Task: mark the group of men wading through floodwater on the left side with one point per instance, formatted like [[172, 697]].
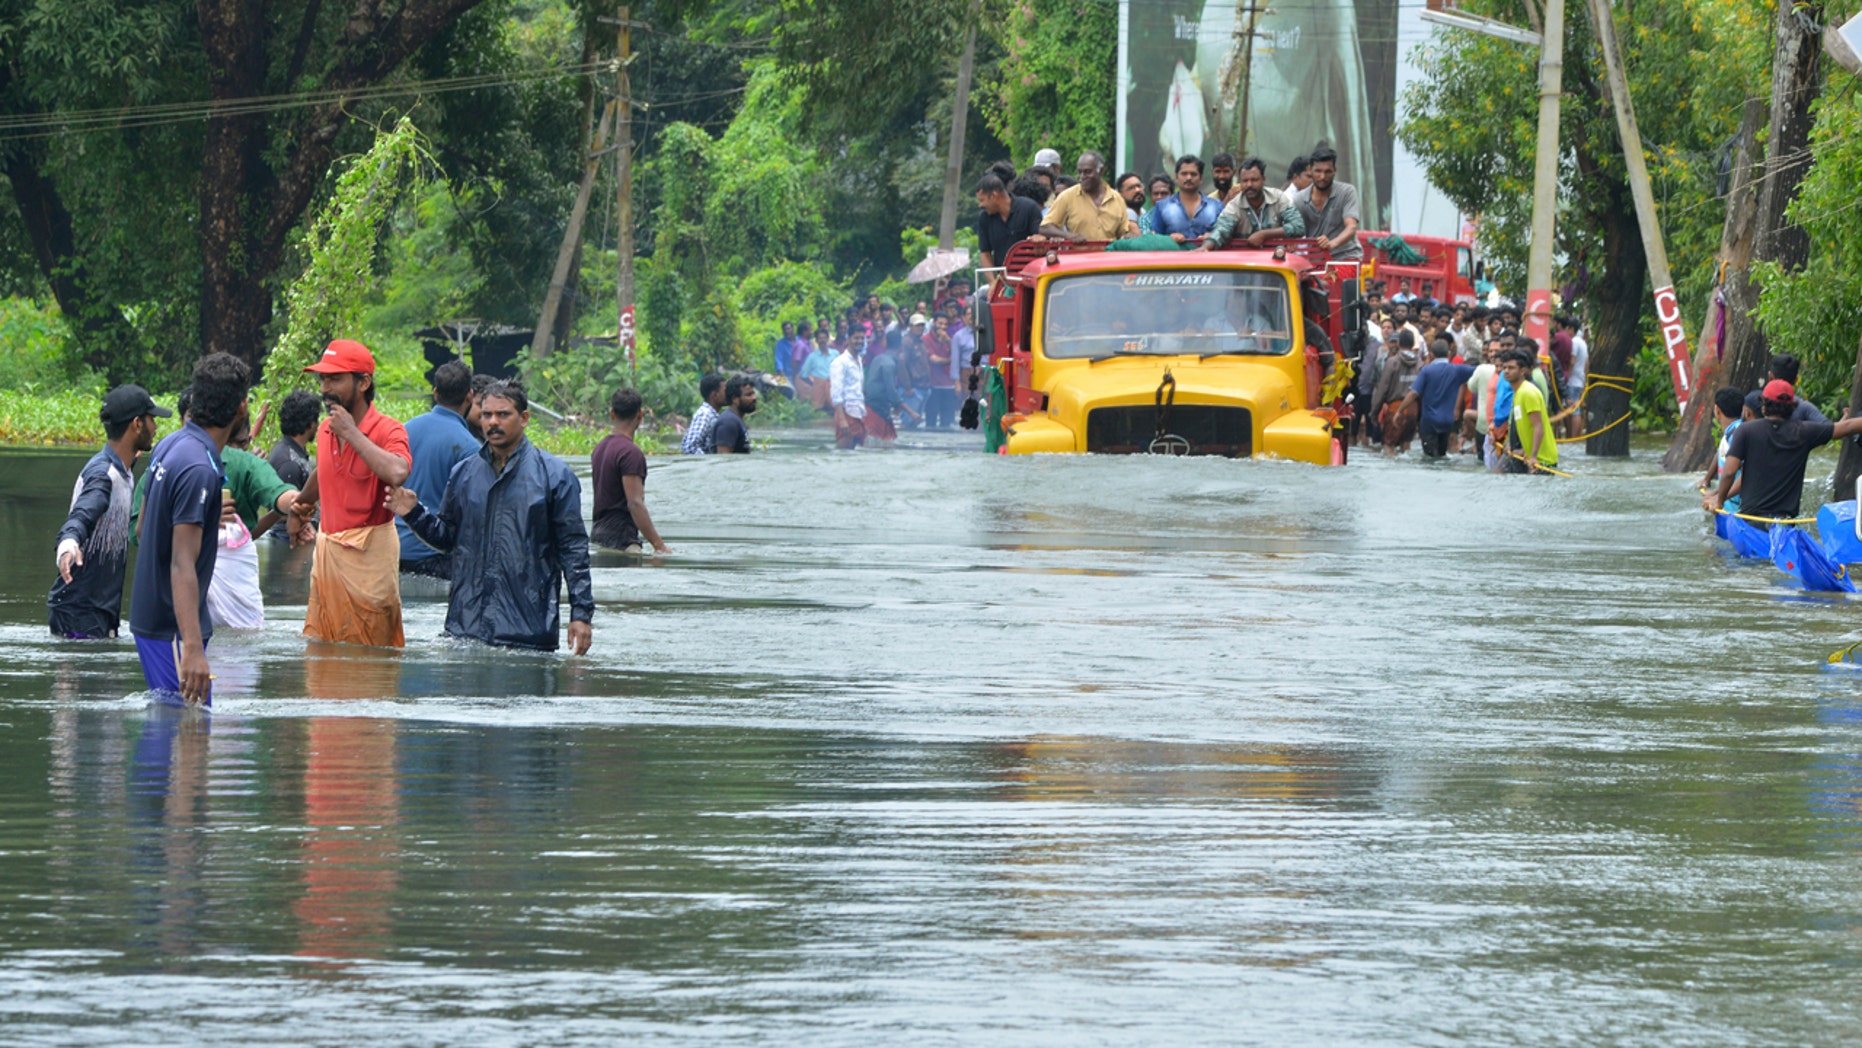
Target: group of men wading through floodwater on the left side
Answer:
[[455, 494]]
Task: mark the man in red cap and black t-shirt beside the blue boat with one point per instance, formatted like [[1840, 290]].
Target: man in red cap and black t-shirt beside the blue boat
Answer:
[[1770, 455]]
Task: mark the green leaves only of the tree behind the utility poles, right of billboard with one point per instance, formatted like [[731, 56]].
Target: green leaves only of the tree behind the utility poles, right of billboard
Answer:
[[1474, 116]]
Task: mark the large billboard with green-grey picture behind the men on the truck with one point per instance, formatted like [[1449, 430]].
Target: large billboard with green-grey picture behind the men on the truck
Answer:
[[1319, 72]]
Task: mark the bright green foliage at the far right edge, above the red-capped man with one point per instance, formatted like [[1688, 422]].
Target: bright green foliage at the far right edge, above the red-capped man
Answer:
[[1818, 314]]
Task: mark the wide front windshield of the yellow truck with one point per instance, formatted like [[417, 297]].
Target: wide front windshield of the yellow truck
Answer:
[[1168, 314]]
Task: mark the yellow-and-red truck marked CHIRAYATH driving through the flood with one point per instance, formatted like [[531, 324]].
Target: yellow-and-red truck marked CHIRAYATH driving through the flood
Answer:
[[1235, 353]]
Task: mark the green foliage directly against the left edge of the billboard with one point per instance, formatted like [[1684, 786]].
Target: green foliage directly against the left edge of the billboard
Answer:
[[1057, 81]]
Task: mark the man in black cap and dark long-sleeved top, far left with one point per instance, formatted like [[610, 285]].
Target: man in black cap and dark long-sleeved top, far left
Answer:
[[87, 602]]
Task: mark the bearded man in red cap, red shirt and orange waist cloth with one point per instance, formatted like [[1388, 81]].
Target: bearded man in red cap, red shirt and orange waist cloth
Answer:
[[360, 455]]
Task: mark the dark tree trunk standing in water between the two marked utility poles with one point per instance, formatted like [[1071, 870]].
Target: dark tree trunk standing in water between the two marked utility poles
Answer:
[[1617, 312]]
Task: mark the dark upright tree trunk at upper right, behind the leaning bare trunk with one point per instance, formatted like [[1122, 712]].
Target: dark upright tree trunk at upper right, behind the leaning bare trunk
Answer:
[[1794, 87]]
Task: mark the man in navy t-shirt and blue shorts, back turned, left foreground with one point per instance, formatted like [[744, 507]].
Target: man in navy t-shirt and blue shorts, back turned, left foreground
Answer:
[[180, 537]]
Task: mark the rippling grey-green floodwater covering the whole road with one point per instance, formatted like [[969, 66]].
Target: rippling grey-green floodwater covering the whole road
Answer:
[[924, 746]]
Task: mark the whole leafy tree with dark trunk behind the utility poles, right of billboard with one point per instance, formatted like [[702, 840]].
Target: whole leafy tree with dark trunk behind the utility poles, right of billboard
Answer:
[[1472, 126]]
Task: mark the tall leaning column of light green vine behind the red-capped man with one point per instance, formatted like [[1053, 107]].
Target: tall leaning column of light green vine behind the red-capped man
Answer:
[[331, 295]]
